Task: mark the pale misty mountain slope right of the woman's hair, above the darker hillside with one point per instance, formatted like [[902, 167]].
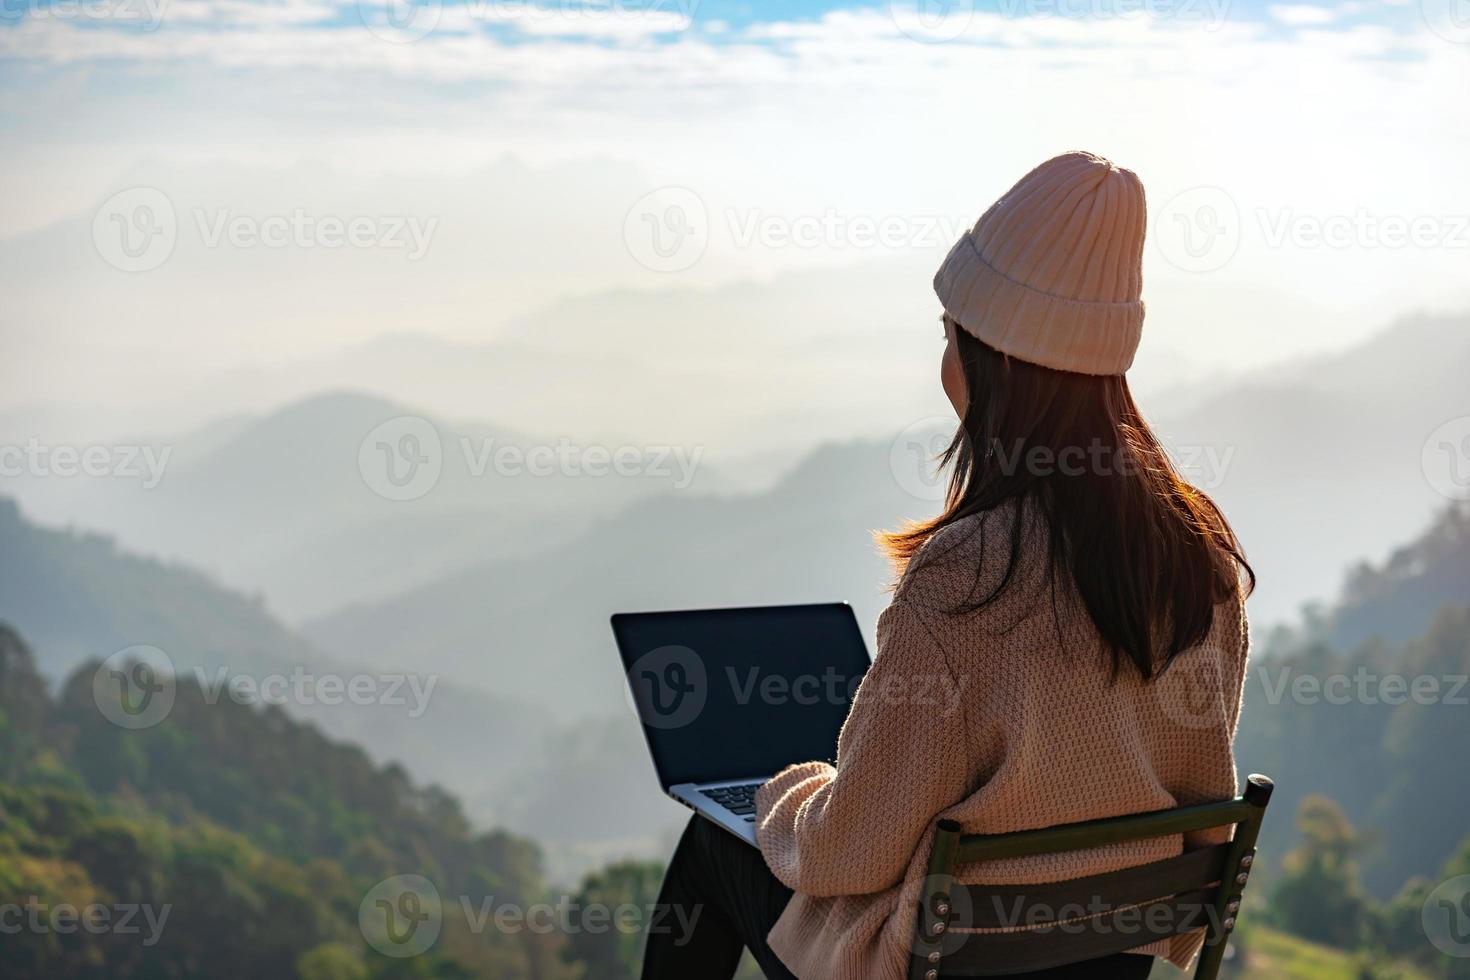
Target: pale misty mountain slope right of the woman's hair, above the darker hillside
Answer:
[[1324, 464]]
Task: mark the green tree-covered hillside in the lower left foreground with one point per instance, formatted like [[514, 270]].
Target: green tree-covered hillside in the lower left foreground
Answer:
[[230, 841]]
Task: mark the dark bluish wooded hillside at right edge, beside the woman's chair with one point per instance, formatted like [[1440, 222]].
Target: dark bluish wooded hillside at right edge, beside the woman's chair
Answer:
[[1368, 703]]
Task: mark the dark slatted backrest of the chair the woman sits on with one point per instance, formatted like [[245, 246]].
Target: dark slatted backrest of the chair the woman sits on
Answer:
[[1091, 918]]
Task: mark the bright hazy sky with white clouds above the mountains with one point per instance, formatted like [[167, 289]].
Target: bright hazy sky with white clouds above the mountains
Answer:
[[304, 177]]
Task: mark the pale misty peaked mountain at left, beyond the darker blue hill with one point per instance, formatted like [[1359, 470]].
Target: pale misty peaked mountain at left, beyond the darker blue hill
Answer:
[[299, 506]]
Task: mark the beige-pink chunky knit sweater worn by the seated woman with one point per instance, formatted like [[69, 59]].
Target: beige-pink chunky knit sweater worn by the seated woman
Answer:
[[1003, 719]]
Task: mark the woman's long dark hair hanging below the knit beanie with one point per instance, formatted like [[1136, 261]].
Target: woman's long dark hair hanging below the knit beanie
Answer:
[[1150, 555]]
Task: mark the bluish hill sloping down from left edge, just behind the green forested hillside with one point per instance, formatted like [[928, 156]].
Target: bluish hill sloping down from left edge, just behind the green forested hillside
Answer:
[[83, 599]]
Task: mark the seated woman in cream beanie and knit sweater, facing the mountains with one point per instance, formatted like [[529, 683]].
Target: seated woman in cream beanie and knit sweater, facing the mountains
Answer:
[[1069, 572]]
